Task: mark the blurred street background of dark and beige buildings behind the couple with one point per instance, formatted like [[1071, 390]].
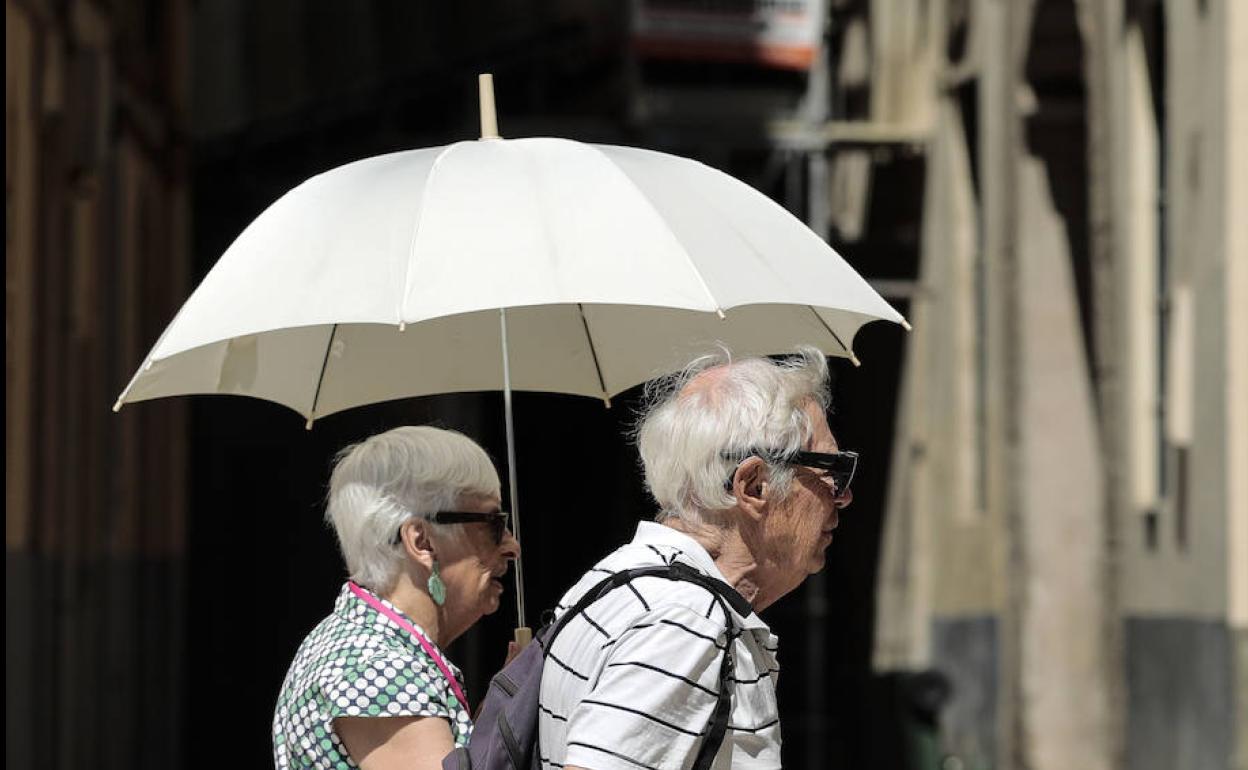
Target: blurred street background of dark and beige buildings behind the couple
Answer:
[[1046, 562]]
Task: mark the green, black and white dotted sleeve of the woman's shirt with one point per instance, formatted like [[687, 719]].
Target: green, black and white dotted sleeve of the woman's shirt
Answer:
[[386, 686]]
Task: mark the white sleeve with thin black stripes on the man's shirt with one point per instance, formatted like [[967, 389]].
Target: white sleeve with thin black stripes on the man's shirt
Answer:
[[655, 697]]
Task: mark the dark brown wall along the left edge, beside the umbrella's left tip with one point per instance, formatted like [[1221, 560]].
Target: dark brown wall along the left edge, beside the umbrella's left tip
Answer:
[[95, 264]]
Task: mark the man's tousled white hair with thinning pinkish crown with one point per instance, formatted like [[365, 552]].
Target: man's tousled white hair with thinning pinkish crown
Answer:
[[692, 439]]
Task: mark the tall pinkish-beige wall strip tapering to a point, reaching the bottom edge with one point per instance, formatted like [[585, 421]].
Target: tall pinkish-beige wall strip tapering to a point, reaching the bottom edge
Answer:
[[1065, 680]]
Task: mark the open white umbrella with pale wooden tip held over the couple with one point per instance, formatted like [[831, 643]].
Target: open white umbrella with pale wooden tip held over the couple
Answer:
[[532, 264]]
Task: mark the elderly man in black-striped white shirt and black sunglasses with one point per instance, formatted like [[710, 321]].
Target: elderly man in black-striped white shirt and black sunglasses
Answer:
[[749, 479]]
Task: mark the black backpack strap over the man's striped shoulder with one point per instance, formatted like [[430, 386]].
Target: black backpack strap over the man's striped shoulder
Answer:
[[724, 595]]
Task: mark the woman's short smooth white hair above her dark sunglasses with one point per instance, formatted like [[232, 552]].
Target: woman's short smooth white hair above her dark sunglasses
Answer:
[[388, 479]]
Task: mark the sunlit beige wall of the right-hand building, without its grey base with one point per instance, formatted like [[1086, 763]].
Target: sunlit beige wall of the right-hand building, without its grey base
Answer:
[[1058, 555]]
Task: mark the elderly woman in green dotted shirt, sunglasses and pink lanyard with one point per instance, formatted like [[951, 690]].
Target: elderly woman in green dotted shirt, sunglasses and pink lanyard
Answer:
[[417, 516]]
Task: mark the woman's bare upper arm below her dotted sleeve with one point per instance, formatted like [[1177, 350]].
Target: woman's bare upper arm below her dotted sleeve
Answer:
[[386, 743]]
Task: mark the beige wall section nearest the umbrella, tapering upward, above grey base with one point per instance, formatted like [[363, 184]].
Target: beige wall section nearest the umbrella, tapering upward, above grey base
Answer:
[[940, 543]]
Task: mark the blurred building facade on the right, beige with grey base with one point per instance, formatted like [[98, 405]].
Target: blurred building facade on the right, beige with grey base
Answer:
[[1068, 529]]
